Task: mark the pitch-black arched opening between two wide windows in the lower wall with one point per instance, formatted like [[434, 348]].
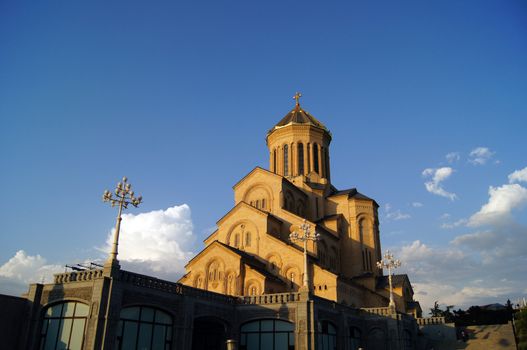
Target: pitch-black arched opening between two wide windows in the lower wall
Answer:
[[209, 333]]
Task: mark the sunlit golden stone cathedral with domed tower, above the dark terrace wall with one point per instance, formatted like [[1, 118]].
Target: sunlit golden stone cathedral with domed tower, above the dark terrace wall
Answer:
[[251, 253]]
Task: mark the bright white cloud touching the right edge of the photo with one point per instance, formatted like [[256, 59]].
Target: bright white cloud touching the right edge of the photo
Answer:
[[502, 201]]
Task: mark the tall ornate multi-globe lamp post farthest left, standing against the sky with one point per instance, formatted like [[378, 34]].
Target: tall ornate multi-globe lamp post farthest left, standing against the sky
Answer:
[[123, 196]]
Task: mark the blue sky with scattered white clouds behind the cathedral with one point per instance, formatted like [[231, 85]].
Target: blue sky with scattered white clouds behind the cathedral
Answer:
[[179, 96]]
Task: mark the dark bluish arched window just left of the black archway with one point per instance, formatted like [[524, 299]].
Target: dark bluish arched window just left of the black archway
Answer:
[[142, 327]]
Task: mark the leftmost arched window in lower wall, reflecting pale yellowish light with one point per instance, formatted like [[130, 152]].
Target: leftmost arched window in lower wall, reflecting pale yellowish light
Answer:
[[63, 326]]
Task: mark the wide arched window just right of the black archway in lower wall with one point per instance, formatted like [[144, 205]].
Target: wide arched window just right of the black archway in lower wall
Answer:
[[267, 335]]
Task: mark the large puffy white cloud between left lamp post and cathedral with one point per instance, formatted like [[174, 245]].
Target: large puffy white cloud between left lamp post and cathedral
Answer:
[[159, 242]]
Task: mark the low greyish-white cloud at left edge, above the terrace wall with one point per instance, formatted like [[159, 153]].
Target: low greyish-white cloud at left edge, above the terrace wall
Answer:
[[23, 269]]
